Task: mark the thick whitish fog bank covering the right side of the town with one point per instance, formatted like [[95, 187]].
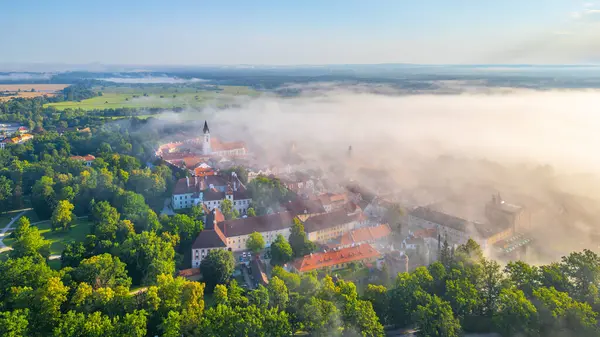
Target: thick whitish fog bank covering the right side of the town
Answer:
[[538, 149]]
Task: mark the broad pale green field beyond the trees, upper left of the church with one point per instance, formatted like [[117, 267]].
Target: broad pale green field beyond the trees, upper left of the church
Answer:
[[155, 97]]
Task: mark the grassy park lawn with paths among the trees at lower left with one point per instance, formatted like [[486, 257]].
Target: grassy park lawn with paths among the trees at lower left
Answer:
[[59, 238]]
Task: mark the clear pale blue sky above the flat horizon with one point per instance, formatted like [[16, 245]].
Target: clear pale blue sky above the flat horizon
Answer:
[[299, 32]]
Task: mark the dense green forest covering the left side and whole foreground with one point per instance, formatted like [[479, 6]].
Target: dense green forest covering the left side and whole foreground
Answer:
[[120, 280]]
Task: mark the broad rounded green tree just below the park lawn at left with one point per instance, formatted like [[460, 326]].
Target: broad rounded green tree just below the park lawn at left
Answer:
[[102, 271]]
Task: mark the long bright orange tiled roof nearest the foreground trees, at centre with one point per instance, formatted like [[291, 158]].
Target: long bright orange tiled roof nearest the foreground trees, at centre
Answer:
[[335, 257]]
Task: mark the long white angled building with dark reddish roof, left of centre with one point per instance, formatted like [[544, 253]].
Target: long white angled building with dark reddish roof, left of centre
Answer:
[[233, 234]]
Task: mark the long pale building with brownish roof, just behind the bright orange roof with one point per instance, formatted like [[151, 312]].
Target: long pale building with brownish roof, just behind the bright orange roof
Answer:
[[324, 227]]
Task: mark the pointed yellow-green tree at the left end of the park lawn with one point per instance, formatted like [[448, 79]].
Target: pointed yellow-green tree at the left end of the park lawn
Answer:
[[28, 241]]
